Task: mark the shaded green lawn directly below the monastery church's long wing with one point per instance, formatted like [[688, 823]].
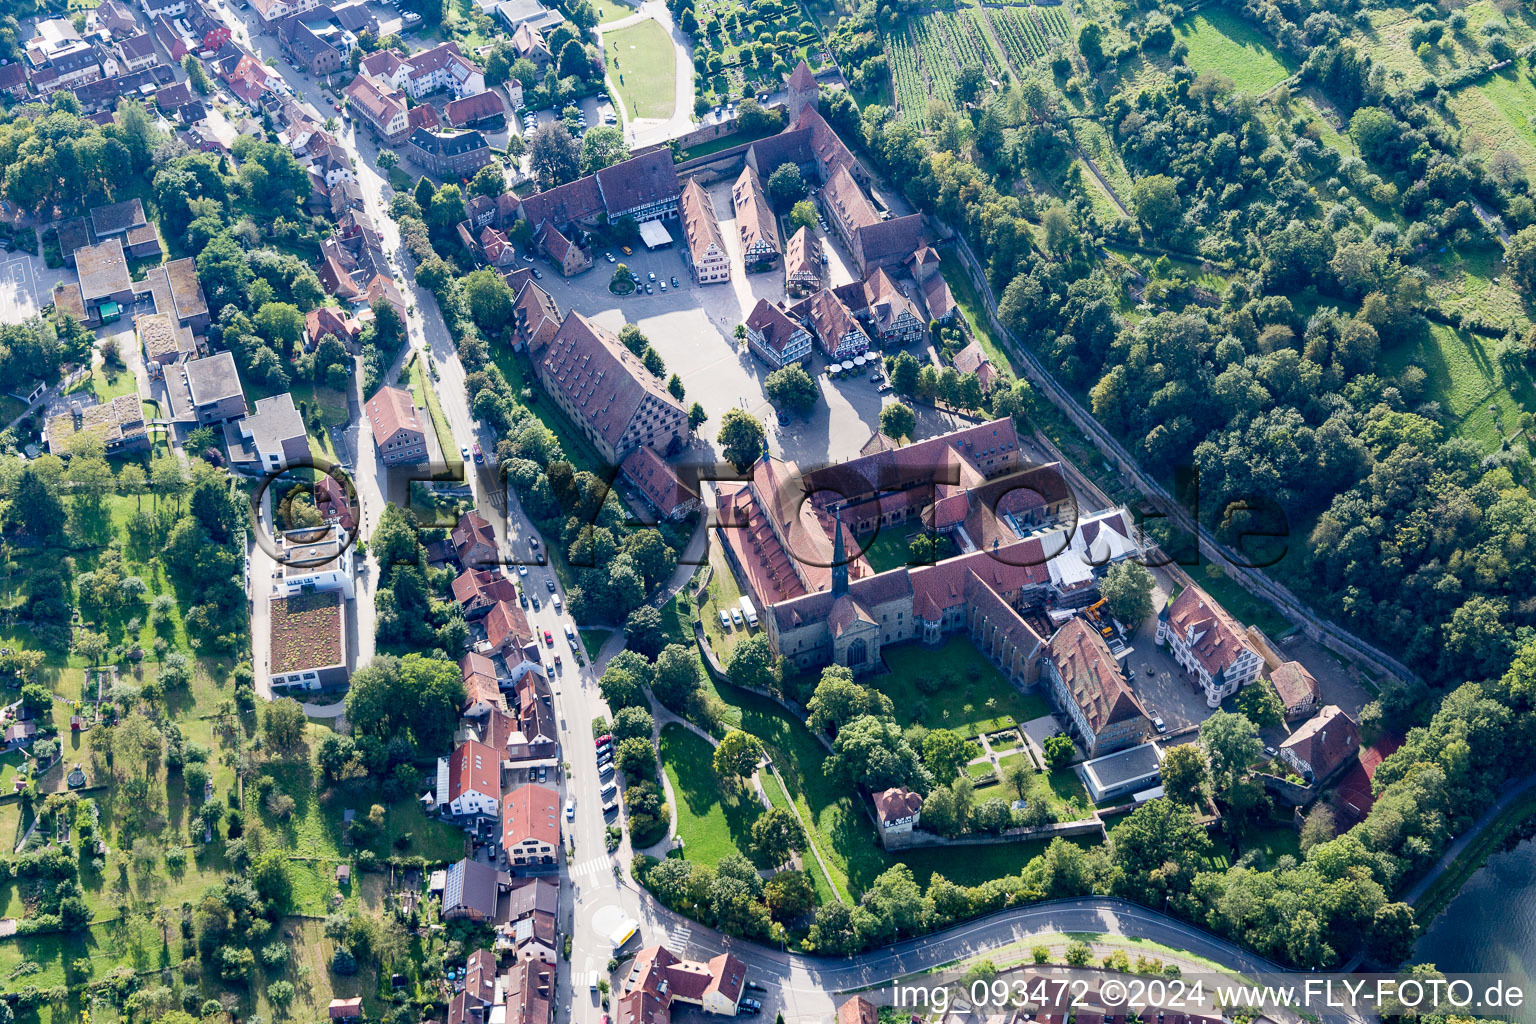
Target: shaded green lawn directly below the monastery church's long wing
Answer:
[[965, 679]]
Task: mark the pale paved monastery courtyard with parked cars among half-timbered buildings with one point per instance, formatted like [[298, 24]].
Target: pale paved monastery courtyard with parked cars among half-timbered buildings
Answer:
[[694, 328]]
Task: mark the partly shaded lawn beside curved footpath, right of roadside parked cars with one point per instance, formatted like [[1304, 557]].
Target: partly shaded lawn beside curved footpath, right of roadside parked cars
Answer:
[[712, 822]]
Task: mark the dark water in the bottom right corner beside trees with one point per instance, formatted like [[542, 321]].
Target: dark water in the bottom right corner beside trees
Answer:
[[1491, 927]]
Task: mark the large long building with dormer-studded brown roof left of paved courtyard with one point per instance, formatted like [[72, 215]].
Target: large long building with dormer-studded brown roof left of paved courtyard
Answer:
[[607, 392]]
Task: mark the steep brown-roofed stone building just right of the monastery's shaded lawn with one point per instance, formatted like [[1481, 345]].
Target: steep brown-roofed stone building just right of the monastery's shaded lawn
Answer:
[[1090, 692]]
